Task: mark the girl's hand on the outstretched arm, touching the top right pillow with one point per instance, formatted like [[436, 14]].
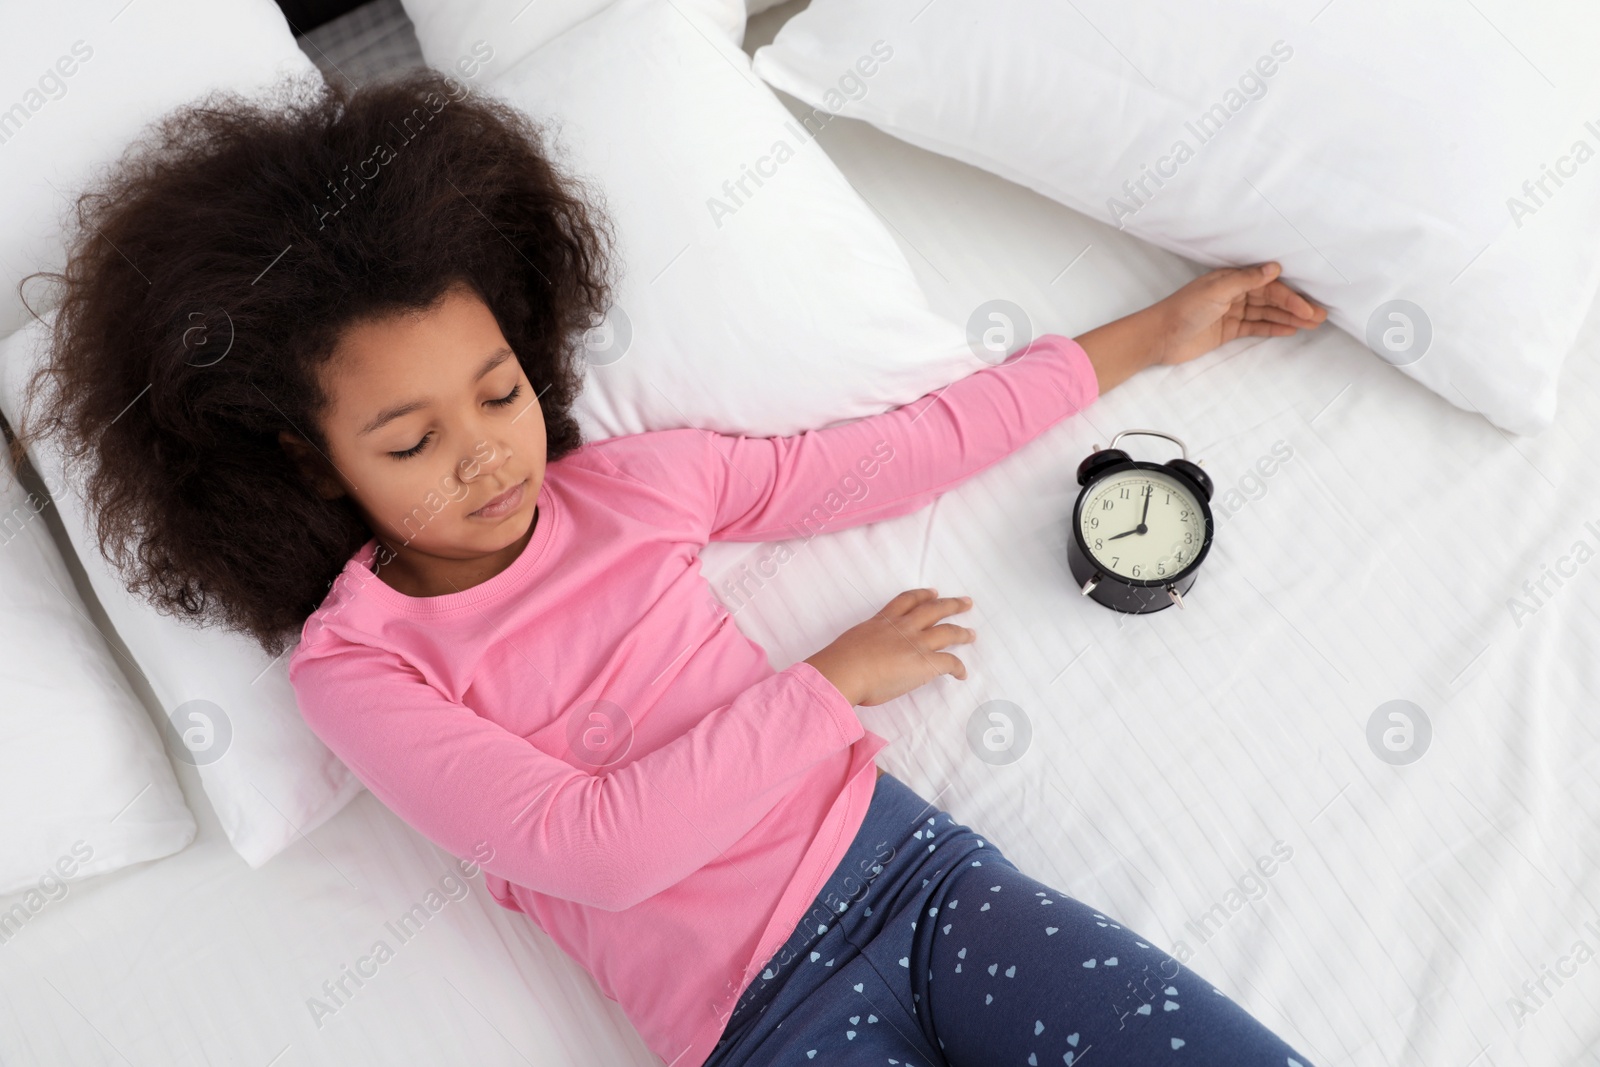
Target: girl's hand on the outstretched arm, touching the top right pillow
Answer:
[[1226, 305]]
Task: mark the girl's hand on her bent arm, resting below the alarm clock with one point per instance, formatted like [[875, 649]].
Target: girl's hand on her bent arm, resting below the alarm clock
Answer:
[[898, 649]]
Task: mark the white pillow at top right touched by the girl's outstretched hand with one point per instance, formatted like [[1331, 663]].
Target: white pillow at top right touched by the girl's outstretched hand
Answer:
[[1378, 151]]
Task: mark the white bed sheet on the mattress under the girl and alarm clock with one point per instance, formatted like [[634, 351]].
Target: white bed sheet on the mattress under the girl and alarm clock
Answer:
[[1169, 751]]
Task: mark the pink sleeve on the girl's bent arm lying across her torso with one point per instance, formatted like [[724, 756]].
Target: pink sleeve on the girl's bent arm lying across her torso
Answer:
[[607, 841]]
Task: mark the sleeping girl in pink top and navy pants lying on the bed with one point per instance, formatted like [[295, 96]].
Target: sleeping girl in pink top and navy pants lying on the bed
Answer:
[[503, 629]]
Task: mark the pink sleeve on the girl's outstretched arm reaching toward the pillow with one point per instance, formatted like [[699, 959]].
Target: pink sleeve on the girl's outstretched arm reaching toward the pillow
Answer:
[[770, 489]]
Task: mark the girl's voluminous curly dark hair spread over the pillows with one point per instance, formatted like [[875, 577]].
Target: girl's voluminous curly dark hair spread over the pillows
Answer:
[[210, 278]]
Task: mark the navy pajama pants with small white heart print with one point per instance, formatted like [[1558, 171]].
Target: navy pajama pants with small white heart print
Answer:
[[929, 948]]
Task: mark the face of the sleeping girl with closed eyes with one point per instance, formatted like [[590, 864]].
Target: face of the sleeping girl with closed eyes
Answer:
[[436, 434]]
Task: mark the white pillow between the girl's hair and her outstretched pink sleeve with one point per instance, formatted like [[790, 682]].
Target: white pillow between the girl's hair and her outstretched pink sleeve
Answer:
[[774, 310]]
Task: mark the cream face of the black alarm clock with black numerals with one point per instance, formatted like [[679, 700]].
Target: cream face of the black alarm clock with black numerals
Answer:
[[1143, 524]]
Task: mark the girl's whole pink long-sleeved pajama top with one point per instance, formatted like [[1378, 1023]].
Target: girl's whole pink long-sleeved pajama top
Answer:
[[593, 729]]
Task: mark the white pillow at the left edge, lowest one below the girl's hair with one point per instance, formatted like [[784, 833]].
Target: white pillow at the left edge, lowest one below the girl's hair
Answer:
[[86, 786]]
